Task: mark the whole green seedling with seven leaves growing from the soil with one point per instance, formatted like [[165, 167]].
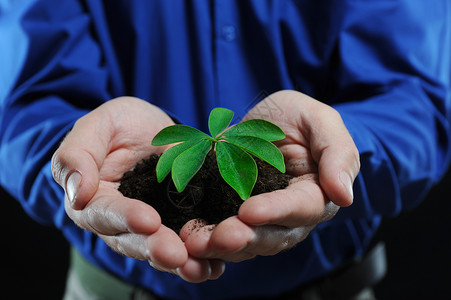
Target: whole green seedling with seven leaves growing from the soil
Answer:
[[233, 148]]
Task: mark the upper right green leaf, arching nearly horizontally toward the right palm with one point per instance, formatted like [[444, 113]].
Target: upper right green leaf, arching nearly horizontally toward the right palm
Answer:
[[257, 128]]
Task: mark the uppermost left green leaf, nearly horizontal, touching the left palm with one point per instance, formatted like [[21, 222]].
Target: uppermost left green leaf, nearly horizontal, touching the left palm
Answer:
[[177, 133]]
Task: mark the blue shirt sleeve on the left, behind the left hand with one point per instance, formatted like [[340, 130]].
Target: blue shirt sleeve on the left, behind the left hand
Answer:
[[53, 76]]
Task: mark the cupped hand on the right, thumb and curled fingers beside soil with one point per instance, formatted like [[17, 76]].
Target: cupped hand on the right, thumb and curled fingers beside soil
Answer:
[[319, 152]]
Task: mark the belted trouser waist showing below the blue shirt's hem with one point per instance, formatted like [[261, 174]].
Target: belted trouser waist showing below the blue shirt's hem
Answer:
[[341, 284]]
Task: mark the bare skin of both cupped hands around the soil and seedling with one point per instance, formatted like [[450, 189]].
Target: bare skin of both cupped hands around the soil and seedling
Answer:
[[111, 139]]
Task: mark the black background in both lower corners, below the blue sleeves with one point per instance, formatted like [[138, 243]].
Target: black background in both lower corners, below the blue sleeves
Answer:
[[418, 242]]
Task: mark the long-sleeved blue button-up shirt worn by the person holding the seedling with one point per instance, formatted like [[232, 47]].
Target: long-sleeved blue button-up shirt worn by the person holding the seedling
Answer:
[[384, 65]]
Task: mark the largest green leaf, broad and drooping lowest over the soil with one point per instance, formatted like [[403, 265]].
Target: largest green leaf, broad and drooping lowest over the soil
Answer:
[[237, 168]]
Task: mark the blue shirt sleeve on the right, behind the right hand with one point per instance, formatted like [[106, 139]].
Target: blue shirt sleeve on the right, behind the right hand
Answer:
[[395, 66]]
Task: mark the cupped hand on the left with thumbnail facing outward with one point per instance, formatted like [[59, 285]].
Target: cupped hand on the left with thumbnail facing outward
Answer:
[[89, 164]]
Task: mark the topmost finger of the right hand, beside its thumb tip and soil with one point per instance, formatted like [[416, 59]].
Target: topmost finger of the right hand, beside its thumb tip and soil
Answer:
[[302, 203]]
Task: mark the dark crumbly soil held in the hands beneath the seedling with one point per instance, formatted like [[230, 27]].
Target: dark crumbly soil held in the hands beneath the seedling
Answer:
[[207, 196]]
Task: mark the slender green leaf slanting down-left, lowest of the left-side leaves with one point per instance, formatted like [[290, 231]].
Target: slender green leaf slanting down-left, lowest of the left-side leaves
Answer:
[[188, 163]]
